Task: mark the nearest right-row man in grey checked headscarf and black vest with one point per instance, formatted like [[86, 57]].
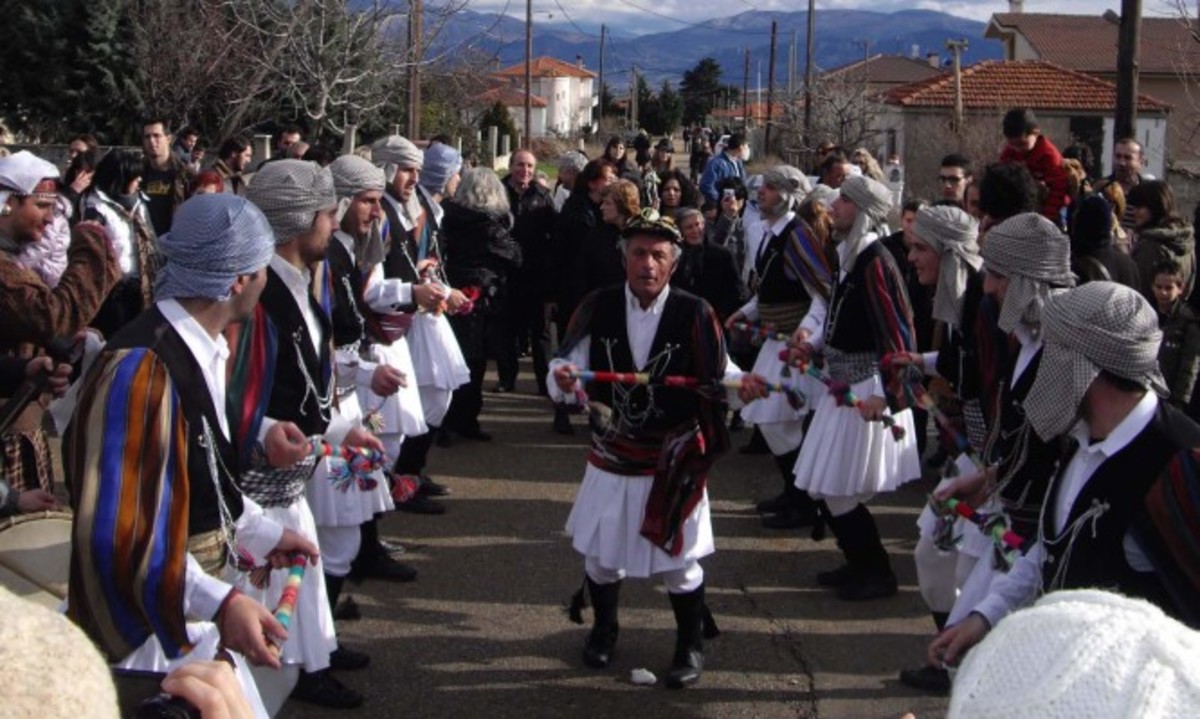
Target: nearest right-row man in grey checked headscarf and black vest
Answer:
[[1120, 513]]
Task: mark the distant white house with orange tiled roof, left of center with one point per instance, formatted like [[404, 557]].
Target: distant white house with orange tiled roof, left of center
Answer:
[[566, 91]]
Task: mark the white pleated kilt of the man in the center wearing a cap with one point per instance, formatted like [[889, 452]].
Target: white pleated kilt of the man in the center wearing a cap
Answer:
[[607, 520]]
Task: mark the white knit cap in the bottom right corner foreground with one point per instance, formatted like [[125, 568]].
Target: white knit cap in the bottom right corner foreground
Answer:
[[1082, 654]]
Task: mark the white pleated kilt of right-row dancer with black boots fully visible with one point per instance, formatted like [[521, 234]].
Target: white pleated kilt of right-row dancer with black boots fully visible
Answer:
[[845, 457]]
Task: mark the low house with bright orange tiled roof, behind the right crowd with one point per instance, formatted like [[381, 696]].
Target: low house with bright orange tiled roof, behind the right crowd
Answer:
[[1072, 109]]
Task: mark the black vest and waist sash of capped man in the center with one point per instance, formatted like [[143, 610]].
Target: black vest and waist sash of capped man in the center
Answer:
[[643, 417]]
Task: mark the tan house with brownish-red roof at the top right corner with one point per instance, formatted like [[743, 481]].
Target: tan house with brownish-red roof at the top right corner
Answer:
[[1168, 62]]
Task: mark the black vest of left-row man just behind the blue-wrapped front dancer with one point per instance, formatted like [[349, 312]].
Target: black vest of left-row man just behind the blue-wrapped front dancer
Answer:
[[292, 400]]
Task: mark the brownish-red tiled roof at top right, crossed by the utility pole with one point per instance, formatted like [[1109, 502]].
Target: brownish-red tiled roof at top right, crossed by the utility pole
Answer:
[[1090, 43]]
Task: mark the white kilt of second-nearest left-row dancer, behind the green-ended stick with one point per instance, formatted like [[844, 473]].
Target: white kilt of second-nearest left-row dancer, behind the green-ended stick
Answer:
[[311, 637]]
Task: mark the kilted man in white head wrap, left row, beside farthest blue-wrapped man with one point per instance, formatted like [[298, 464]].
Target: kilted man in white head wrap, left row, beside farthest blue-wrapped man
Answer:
[[415, 259]]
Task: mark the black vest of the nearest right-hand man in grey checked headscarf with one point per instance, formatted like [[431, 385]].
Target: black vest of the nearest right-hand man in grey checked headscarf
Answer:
[[1096, 556]]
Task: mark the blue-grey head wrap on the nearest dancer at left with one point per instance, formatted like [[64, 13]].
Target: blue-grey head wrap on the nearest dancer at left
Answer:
[[213, 239]]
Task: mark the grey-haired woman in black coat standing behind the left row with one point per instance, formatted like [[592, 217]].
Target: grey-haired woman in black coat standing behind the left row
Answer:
[[481, 256]]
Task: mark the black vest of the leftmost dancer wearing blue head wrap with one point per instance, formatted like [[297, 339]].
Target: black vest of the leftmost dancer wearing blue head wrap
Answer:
[[153, 332]]
